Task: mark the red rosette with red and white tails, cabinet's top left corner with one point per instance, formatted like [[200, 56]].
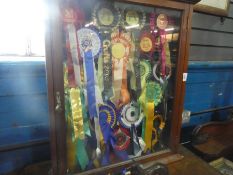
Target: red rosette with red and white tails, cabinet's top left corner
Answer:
[[73, 17]]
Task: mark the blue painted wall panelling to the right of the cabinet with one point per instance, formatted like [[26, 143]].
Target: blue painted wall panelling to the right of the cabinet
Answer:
[[209, 85]]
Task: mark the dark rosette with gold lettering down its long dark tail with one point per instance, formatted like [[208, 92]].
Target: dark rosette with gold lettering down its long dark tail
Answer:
[[106, 17]]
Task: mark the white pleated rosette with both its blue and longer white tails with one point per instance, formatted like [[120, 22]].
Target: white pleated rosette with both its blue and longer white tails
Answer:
[[90, 45]]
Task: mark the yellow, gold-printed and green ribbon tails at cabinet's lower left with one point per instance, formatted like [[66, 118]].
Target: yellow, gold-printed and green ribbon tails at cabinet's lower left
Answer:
[[74, 113]]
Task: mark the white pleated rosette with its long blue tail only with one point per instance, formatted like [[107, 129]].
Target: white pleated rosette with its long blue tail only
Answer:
[[90, 45]]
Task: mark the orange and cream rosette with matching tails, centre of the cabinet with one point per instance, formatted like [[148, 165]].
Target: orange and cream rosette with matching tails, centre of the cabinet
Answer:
[[121, 45]]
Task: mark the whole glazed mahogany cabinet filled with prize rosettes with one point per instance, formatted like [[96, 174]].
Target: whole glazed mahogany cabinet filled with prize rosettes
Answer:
[[115, 72]]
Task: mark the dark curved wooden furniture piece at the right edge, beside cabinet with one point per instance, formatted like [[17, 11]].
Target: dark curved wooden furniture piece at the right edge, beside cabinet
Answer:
[[213, 140]]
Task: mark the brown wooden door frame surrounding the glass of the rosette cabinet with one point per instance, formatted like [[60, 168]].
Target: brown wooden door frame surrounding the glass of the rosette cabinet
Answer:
[[54, 64]]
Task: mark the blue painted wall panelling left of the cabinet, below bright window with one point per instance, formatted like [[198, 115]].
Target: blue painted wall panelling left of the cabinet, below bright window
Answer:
[[23, 113]]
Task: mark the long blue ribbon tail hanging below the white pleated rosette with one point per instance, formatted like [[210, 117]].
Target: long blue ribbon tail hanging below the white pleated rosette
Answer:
[[90, 77]]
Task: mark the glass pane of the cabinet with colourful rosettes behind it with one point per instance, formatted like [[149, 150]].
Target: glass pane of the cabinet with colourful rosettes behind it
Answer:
[[119, 74]]
